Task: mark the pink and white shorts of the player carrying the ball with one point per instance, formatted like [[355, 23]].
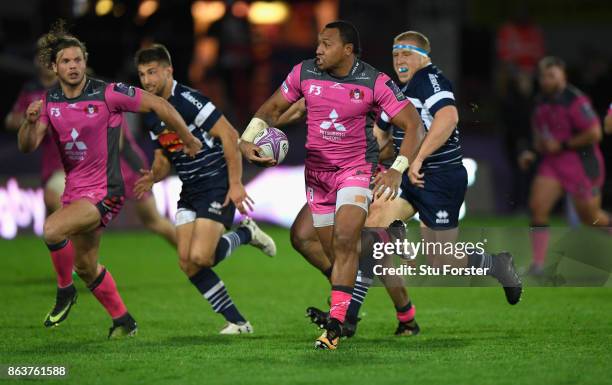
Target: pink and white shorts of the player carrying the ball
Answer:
[[327, 191]]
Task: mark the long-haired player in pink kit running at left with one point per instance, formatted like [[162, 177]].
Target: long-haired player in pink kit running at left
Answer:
[[89, 148]]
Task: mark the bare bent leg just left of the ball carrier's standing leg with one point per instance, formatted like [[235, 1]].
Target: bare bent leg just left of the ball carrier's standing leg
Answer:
[[306, 242]]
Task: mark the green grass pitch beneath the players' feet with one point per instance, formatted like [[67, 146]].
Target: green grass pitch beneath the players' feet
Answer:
[[469, 335]]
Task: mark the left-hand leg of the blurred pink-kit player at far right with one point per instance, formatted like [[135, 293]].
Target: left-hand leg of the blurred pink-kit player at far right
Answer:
[[545, 192]]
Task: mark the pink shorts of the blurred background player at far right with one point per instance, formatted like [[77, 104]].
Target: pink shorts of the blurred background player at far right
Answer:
[[580, 174]]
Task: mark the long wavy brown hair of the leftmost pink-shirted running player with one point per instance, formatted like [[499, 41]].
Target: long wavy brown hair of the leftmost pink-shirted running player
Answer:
[[58, 38]]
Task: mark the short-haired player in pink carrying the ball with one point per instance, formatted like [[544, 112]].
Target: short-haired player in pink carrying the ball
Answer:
[[342, 154]]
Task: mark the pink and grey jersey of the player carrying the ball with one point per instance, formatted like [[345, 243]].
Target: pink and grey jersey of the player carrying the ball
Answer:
[[338, 110]]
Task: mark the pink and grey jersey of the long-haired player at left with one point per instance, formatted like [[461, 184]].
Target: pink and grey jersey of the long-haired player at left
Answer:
[[86, 130]]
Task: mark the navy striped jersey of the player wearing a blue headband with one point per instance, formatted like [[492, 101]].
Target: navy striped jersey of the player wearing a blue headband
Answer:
[[429, 90]]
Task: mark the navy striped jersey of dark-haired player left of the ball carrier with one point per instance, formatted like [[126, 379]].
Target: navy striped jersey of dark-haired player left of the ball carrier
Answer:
[[208, 168]]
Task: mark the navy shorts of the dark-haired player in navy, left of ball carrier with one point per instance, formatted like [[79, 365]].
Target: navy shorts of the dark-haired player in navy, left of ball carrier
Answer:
[[205, 204]]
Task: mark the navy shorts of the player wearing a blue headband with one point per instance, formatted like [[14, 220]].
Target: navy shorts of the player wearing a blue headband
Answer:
[[438, 203]]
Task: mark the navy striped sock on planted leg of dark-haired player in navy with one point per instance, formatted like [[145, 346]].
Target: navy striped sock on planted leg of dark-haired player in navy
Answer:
[[213, 289]]
